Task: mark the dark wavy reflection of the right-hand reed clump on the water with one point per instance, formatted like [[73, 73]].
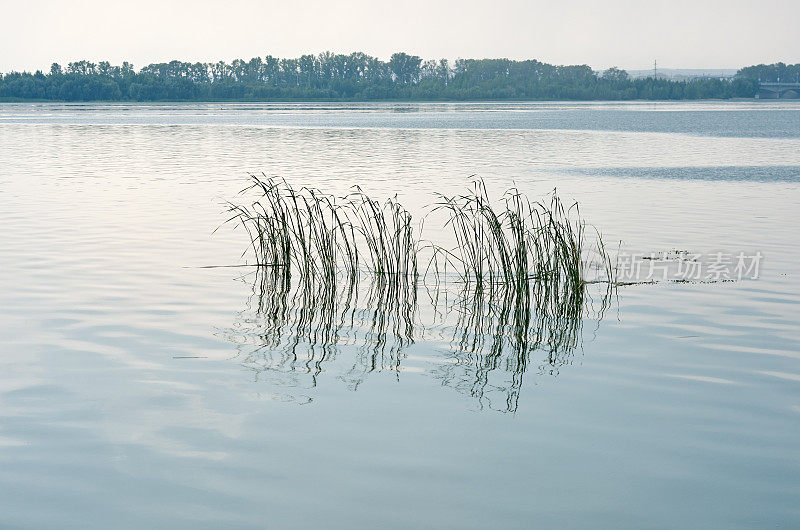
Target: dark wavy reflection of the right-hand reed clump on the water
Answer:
[[496, 337]]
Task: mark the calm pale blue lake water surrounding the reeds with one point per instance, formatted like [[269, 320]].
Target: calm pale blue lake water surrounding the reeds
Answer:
[[139, 389]]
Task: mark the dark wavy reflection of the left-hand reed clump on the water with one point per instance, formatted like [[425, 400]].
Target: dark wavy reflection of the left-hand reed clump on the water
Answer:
[[295, 329]]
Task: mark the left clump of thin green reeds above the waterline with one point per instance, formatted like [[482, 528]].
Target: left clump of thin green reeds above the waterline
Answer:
[[319, 237]]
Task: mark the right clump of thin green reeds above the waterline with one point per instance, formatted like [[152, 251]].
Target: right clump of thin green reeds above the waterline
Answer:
[[516, 243]]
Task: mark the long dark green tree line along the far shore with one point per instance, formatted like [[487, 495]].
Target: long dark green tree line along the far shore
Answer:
[[360, 77]]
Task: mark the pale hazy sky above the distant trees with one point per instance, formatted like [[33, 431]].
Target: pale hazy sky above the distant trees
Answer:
[[629, 34]]
